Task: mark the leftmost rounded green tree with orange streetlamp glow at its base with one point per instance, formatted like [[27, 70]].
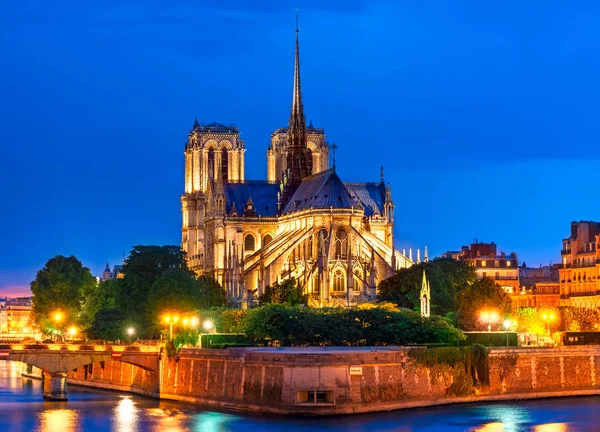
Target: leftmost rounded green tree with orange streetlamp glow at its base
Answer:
[[61, 285]]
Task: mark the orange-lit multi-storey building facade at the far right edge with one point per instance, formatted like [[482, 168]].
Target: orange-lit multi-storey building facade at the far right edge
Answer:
[[580, 270]]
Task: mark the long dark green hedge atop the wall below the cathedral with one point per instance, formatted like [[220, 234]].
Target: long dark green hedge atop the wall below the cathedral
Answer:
[[290, 326]]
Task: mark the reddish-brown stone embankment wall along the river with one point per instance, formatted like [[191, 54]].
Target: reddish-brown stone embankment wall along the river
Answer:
[[317, 381]]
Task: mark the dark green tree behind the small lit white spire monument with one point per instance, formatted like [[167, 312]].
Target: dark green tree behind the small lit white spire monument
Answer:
[[447, 277]]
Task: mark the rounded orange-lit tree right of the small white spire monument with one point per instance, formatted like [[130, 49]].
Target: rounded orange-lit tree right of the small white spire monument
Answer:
[[484, 294]]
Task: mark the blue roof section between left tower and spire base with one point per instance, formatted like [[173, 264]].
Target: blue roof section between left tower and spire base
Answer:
[[263, 195]]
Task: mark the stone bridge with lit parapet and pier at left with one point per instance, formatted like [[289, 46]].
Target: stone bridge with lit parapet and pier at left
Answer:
[[56, 361]]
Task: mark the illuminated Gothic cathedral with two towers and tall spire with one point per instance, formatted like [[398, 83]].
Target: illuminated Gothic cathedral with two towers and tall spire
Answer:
[[334, 238]]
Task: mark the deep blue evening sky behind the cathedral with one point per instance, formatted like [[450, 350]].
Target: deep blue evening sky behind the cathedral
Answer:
[[484, 115]]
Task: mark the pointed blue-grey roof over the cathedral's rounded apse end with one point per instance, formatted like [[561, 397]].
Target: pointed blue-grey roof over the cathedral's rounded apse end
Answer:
[[321, 190]]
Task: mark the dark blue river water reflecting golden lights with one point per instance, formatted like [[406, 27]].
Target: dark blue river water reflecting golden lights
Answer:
[[23, 409]]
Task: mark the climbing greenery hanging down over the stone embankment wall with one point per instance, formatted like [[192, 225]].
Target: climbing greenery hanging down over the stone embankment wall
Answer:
[[468, 366]]
